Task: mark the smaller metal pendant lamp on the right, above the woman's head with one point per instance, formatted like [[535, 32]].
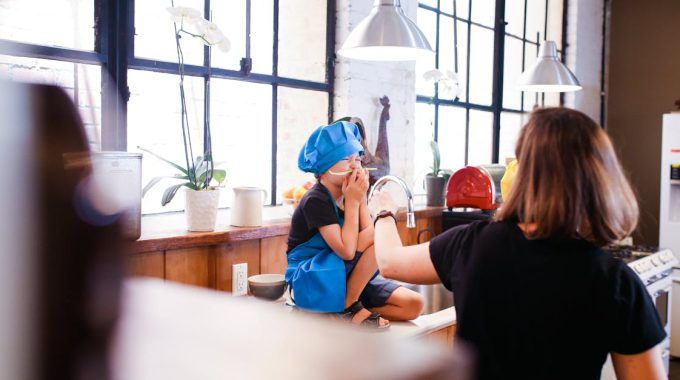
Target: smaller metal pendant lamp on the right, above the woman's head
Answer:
[[548, 74]]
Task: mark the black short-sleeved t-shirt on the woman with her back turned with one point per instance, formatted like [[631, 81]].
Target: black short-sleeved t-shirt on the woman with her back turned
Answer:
[[542, 309]]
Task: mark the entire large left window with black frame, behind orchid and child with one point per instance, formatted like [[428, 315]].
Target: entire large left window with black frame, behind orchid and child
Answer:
[[258, 120]]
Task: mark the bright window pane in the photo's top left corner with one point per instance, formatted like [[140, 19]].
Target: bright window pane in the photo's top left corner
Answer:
[[33, 21]]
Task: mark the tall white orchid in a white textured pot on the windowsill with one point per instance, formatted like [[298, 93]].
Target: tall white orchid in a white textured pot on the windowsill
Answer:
[[198, 174]]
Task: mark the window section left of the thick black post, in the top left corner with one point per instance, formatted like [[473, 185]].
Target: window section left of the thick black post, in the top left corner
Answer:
[[37, 54]]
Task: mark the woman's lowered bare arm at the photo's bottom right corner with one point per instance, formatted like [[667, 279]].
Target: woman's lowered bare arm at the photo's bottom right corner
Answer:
[[646, 365]]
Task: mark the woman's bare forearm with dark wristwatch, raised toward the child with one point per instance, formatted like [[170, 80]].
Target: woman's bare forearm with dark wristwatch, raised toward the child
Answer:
[[409, 264]]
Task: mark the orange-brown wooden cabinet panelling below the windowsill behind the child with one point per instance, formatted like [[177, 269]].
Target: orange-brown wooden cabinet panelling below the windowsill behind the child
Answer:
[[205, 259]]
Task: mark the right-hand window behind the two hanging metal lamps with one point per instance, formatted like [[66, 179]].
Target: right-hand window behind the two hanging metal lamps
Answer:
[[476, 122]]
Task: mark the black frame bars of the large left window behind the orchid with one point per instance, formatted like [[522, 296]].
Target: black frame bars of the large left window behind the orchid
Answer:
[[114, 52]]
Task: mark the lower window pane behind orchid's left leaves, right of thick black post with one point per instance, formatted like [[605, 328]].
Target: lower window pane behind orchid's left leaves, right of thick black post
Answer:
[[160, 131]]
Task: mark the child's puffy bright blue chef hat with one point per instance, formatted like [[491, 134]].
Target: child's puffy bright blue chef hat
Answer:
[[329, 144]]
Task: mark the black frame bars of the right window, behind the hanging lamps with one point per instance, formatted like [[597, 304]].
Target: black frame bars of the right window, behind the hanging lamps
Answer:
[[500, 34]]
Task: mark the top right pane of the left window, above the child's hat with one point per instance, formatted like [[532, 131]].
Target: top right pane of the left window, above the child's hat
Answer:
[[302, 39]]
